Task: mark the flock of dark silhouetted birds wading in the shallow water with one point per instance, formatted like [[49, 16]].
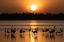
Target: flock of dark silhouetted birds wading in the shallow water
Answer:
[[13, 30]]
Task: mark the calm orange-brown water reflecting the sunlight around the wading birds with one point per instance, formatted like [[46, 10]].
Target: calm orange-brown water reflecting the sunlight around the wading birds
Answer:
[[29, 36]]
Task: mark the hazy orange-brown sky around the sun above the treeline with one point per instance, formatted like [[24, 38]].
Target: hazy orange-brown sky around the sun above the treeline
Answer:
[[43, 6]]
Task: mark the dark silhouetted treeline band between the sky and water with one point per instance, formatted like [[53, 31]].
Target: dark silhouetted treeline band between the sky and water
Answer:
[[31, 16]]
